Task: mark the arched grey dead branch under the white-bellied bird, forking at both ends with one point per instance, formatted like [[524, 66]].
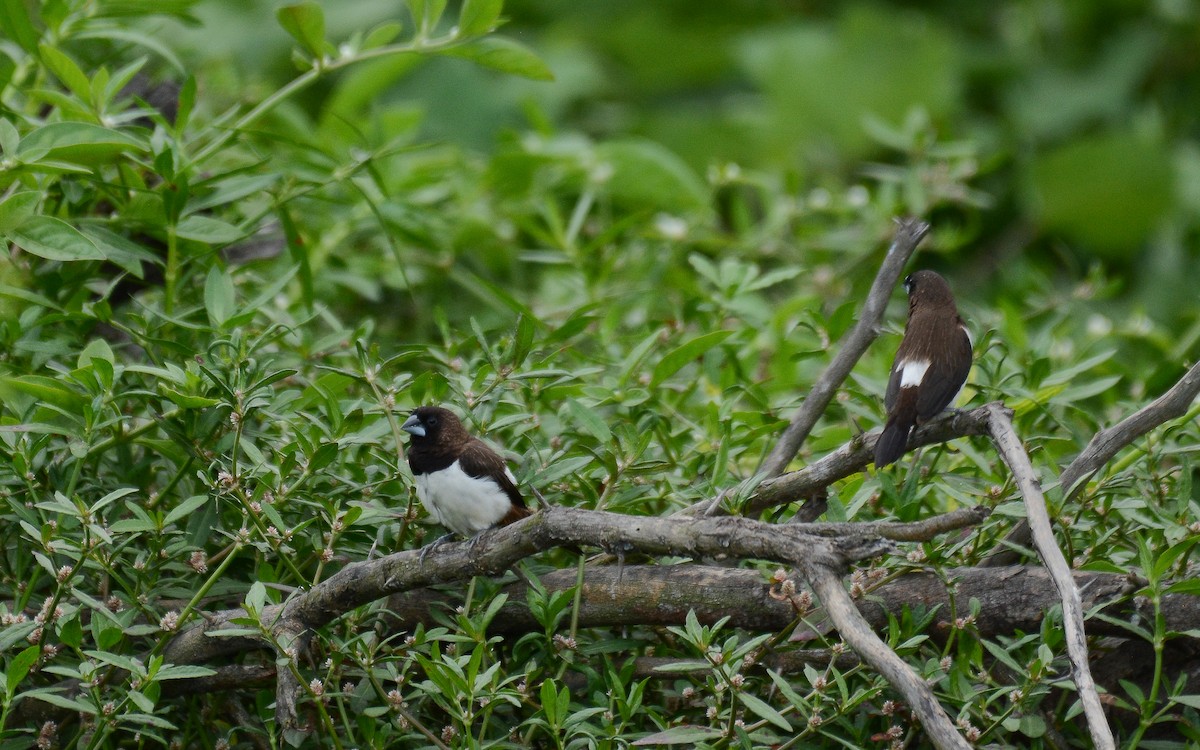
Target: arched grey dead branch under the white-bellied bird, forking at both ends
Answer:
[[813, 554]]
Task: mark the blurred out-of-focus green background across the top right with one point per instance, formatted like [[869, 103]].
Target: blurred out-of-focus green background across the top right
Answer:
[[1077, 121]]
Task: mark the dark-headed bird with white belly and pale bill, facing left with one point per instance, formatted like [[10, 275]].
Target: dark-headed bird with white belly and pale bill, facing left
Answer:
[[461, 482]]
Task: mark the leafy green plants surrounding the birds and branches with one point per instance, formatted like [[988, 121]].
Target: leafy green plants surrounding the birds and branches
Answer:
[[223, 296]]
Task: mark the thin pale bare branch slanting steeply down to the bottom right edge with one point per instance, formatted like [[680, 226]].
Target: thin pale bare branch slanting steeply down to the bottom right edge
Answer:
[[1013, 453]]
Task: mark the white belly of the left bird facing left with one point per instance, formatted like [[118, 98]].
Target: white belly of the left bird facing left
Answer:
[[463, 503]]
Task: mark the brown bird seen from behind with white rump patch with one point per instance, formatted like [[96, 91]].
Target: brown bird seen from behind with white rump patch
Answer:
[[931, 368]]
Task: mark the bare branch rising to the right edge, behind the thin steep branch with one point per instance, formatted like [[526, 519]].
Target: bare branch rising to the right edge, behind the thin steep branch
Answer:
[[1102, 448]]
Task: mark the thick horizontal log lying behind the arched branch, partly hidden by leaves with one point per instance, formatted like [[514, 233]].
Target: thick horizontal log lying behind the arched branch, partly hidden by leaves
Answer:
[[1011, 601]]
